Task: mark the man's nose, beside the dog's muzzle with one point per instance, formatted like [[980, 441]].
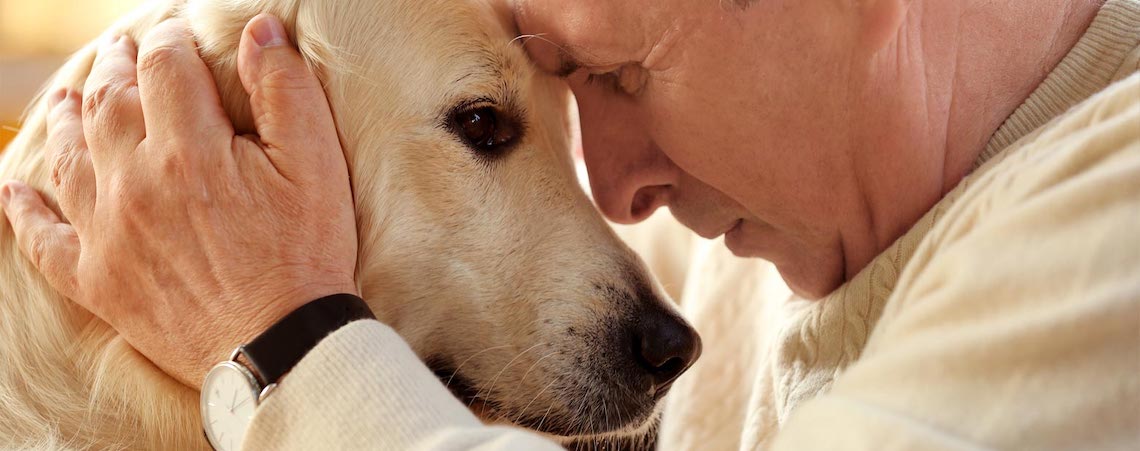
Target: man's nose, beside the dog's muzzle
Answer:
[[630, 176]]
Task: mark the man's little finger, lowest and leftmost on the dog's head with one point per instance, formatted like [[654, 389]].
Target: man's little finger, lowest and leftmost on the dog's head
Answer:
[[52, 245]]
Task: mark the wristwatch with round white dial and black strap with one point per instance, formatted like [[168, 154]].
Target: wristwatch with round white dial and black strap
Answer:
[[232, 391]]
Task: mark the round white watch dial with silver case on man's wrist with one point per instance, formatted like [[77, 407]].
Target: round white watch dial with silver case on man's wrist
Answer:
[[230, 397]]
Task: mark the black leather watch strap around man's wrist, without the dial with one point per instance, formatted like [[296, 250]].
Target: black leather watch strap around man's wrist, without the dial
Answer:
[[278, 350]]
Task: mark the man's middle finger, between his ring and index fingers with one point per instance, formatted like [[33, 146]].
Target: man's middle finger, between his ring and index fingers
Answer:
[[112, 114]]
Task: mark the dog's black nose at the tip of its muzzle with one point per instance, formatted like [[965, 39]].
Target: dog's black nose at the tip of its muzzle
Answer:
[[665, 347]]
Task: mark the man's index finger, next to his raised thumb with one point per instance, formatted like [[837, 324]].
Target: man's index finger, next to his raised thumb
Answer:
[[180, 96]]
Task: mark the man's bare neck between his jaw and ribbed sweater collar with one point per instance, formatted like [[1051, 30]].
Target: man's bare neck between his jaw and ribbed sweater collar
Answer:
[[951, 77]]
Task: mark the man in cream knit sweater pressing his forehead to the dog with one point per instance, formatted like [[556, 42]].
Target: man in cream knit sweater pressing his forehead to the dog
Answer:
[[957, 183]]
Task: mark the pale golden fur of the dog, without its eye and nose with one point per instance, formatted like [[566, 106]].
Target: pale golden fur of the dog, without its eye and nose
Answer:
[[498, 270]]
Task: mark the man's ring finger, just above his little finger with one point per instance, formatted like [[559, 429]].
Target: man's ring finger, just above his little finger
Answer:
[[68, 157]]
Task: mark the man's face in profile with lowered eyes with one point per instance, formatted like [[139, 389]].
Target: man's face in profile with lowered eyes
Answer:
[[732, 118]]
